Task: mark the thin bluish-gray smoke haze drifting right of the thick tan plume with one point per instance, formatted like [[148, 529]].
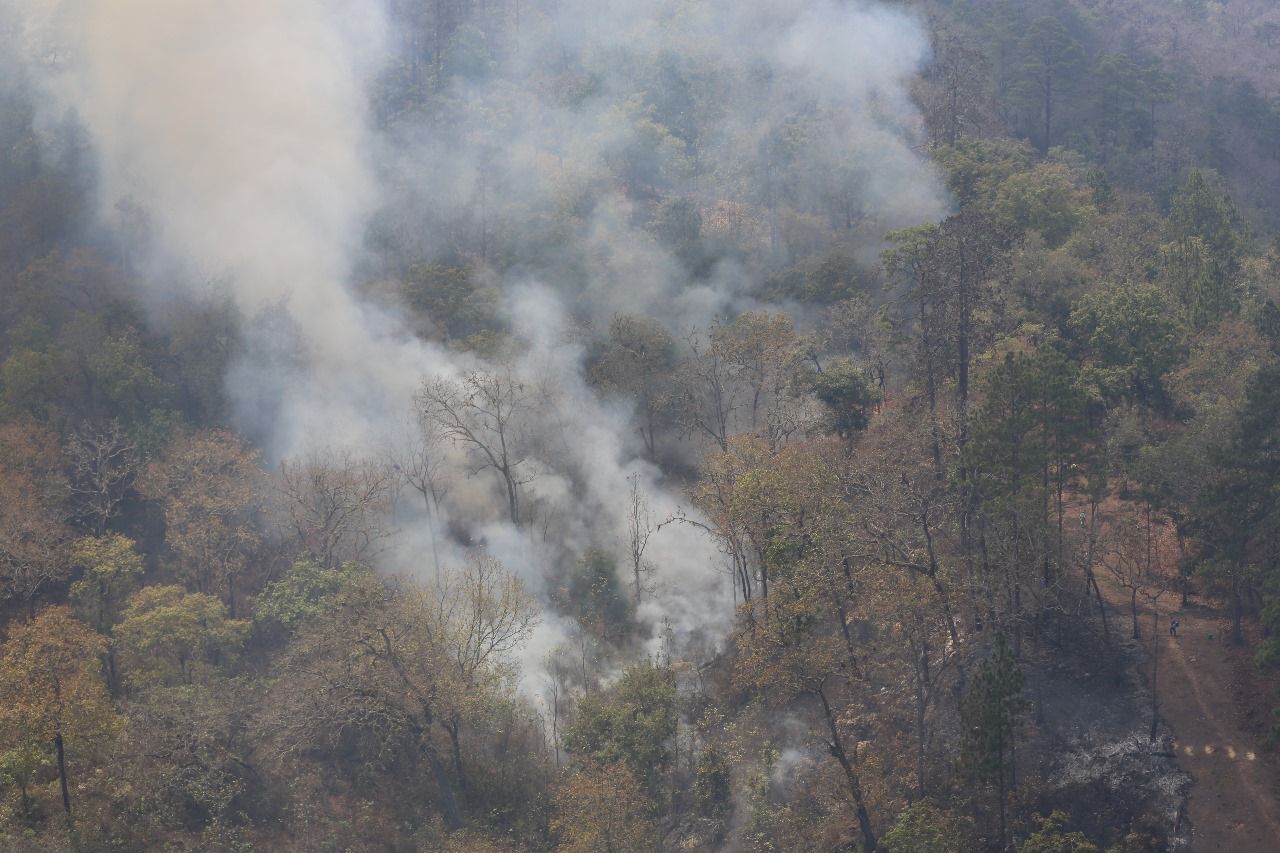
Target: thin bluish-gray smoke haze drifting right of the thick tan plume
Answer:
[[816, 92]]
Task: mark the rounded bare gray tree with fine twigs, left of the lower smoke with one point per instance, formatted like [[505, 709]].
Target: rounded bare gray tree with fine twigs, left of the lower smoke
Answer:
[[339, 505]]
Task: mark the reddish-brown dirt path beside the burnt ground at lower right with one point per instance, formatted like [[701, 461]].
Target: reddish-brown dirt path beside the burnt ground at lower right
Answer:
[[1235, 802]]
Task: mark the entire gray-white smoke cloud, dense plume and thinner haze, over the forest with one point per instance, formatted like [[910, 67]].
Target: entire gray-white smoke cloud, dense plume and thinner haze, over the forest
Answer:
[[271, 144]]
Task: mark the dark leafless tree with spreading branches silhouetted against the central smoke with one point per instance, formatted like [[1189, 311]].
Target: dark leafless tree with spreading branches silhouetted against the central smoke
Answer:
[[484, 413]]
